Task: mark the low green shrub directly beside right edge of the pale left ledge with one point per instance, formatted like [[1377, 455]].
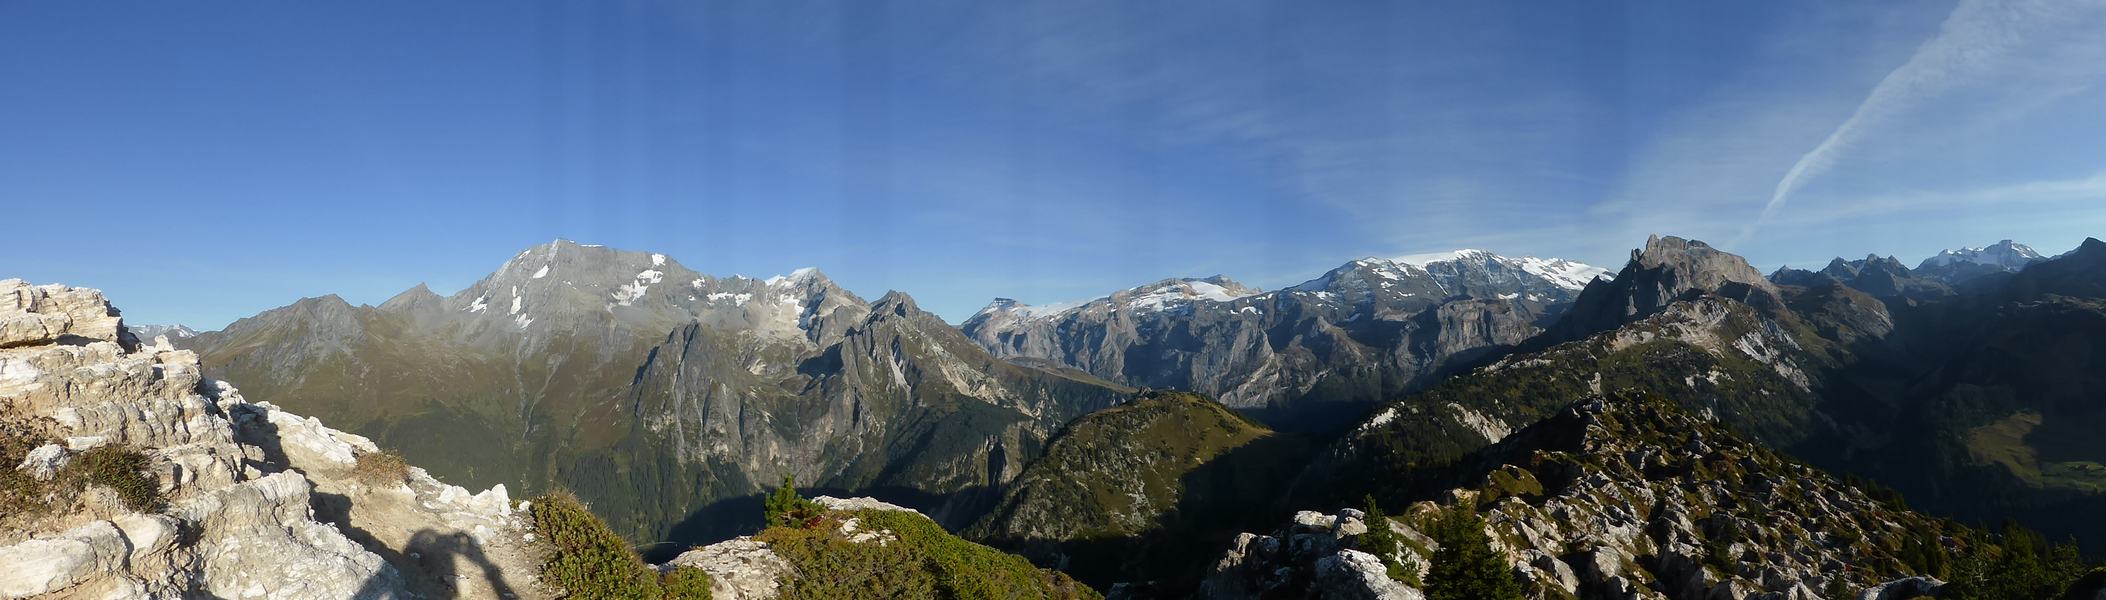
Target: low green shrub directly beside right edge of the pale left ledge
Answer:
[[587, 559]]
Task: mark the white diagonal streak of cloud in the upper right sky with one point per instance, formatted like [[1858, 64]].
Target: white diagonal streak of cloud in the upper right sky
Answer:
[[1979, 39]]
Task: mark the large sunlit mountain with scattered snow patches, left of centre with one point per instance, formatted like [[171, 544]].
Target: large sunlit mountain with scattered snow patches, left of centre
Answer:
[[660, 395]]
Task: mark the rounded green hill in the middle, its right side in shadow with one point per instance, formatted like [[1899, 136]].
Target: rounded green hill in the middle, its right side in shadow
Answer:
[[1145, 492]]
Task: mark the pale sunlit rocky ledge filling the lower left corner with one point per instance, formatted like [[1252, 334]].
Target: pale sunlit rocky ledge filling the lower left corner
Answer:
[[239, 500]]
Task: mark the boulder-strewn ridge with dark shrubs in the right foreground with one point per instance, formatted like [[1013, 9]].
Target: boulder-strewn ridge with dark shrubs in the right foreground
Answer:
[[1621, 496]]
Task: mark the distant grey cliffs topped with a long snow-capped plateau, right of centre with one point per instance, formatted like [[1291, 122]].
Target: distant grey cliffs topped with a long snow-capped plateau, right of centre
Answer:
[[1311, 357]]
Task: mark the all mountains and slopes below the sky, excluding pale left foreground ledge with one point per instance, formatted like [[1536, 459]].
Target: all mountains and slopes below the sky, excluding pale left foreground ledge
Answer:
[[669, 401]]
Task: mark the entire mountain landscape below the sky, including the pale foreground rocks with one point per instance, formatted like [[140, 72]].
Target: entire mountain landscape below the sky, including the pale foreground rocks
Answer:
[[1437, 426]]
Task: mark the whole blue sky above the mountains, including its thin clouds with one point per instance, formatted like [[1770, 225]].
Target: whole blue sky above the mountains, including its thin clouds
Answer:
[[207, 161]]
